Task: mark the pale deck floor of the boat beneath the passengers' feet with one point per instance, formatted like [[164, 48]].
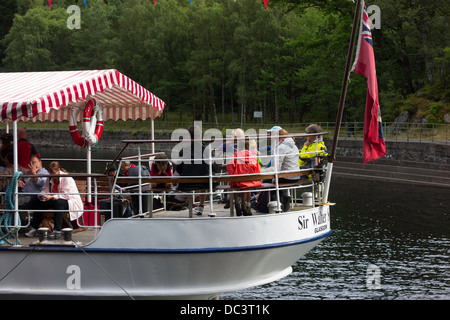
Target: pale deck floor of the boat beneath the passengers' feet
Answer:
[[83, 236]]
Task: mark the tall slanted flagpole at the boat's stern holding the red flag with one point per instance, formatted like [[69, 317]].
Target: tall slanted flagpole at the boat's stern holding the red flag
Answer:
[[351, 46]]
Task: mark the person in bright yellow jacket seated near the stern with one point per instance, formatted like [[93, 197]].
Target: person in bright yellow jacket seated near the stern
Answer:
[[313, 148]]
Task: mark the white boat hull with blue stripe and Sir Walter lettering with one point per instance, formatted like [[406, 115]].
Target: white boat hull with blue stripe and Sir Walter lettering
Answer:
[[166, 258]]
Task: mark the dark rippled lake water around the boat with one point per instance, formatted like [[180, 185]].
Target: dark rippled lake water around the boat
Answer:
[[389, 241]]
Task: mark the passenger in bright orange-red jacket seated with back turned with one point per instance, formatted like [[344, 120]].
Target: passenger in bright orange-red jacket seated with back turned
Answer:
[[243, 162]]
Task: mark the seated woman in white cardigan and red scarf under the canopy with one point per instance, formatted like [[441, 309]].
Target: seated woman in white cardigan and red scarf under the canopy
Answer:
[[60, 194]]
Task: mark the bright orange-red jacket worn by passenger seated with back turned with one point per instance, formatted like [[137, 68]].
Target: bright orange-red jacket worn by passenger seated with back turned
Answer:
[[246, 164]]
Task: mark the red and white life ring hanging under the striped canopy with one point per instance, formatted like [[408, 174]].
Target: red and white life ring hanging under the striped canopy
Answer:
[[92, 124]]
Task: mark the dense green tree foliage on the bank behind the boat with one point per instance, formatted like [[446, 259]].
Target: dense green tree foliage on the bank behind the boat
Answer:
[[221, 60]]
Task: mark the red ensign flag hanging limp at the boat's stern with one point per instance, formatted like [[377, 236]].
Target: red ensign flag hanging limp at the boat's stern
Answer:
[[374, 145]]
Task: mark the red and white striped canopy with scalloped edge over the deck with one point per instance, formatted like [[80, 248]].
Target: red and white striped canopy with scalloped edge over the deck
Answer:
[[40, 96]]
